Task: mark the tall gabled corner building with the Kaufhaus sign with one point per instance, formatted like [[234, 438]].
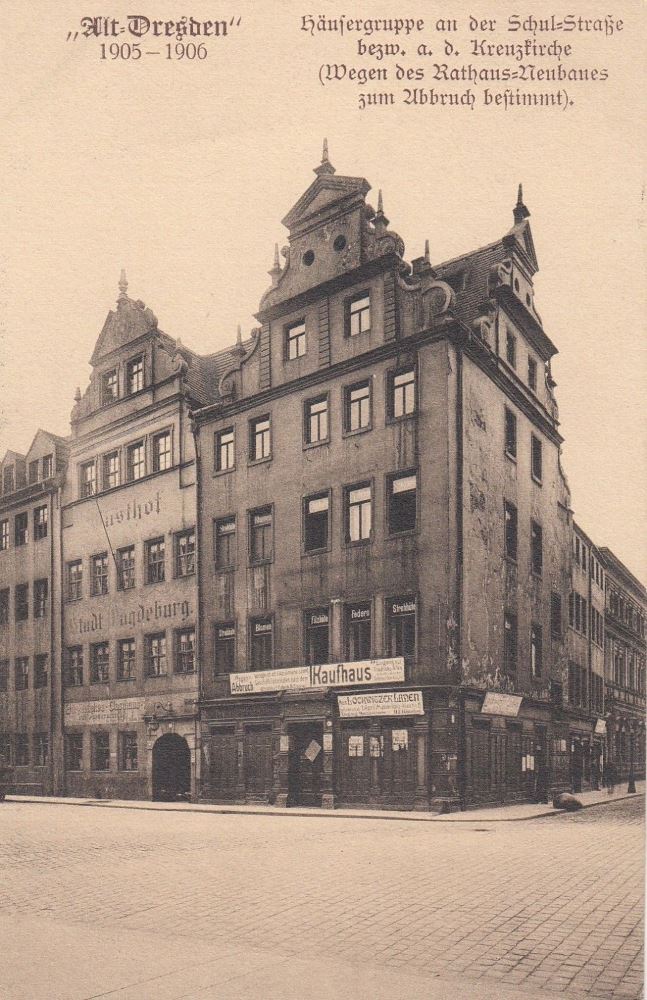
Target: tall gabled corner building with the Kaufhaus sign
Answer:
[[384, 526]]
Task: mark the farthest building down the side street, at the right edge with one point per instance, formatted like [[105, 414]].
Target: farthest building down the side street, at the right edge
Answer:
[[625, 648]]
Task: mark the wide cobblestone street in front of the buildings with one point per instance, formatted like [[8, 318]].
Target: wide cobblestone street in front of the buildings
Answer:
[[132, 904]]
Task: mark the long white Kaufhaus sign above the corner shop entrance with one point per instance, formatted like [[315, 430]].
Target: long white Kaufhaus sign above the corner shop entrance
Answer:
[[320, 676]]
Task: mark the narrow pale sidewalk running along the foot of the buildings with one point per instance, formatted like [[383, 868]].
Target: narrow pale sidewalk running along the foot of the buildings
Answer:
[[497, 814]]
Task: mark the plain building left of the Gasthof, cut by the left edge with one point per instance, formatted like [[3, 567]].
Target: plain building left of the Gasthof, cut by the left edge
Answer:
[[30, 490]]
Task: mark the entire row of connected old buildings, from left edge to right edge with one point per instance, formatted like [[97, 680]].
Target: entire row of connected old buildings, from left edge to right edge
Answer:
[[335, 563]]
